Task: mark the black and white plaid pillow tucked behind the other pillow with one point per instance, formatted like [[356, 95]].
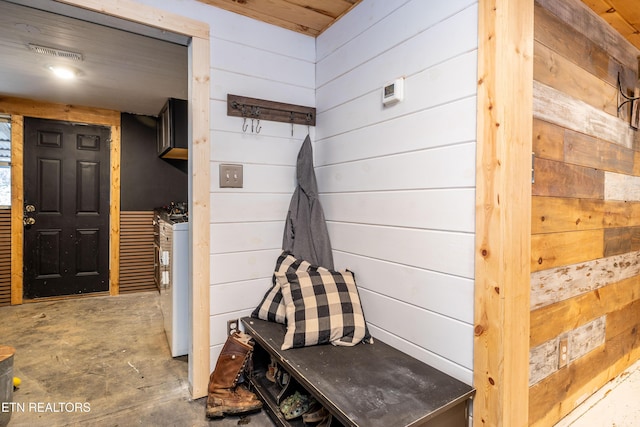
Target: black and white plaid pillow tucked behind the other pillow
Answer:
[[272, 307]]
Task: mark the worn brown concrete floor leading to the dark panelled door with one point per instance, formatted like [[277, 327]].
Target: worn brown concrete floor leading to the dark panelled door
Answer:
[[101, 361]]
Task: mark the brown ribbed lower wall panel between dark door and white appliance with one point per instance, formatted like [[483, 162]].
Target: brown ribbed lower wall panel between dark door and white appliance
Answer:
[[136, 252]]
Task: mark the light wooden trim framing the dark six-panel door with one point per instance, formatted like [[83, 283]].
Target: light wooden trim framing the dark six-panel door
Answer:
[[18, 108]]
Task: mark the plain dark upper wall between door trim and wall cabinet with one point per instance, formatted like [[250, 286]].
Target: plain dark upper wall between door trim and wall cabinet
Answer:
[[147, 180]]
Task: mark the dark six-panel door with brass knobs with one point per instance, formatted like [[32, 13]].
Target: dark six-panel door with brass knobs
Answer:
[[66, 197]]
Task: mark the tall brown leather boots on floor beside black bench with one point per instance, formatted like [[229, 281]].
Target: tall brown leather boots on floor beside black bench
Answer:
[[225, 395]]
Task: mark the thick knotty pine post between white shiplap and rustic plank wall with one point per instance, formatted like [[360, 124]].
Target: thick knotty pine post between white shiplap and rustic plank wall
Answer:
[[503, 208]]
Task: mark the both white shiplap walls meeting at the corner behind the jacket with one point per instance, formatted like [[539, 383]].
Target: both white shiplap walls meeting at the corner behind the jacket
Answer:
[[397, 183]]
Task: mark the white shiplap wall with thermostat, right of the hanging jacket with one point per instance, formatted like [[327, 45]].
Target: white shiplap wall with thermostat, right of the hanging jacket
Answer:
[[398, 183]]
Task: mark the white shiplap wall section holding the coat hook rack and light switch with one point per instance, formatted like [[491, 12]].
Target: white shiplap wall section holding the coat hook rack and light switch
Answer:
[[258, 60]]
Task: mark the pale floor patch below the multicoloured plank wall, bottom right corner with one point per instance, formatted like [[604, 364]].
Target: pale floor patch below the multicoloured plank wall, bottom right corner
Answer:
[[617, 404]]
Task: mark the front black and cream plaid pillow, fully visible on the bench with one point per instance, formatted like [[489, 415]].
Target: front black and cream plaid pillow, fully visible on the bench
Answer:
[[322, 307]]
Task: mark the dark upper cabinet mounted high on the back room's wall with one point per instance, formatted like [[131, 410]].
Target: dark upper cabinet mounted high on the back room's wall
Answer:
[[172, 130]]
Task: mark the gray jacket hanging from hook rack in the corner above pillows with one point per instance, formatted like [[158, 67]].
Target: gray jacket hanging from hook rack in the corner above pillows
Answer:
[[305, 231]]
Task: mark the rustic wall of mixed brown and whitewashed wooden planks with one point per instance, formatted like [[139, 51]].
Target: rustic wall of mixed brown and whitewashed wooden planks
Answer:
[[585, 218]]
